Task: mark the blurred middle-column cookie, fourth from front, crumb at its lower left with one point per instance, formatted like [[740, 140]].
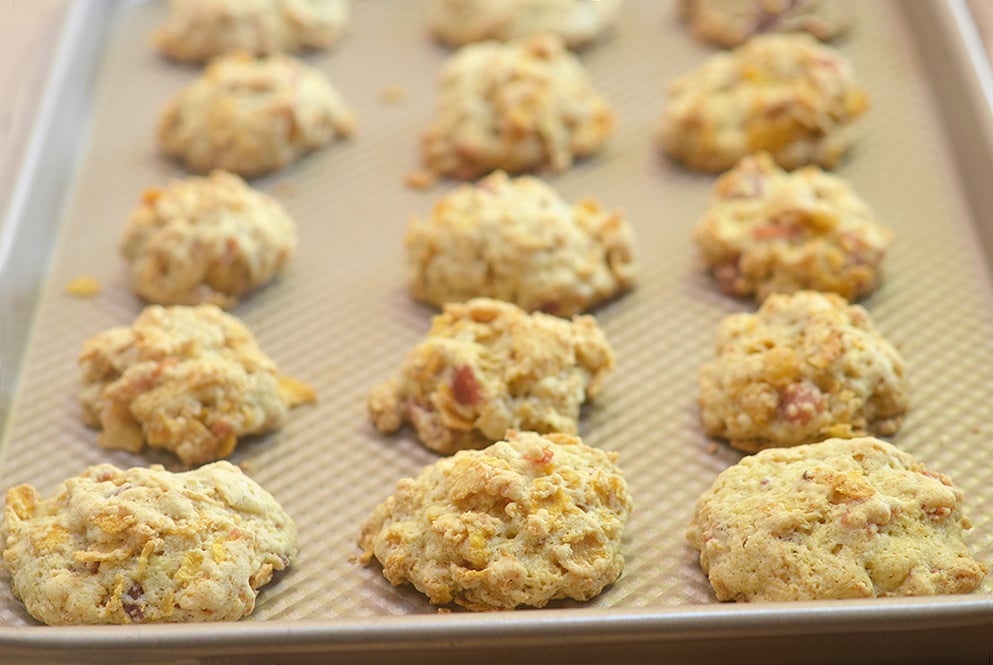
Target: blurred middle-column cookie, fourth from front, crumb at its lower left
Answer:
[[521, 106]]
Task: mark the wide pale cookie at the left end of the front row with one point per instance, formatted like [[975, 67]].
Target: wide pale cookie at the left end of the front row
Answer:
[[145, 545]]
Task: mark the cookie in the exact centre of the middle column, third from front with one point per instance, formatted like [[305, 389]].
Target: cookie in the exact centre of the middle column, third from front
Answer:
[[517, 240]]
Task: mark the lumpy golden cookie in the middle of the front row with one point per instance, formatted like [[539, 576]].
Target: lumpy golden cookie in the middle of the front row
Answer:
[[524, 521]]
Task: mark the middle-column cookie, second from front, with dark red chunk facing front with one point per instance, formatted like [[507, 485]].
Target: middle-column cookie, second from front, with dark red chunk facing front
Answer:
[[488, 366]]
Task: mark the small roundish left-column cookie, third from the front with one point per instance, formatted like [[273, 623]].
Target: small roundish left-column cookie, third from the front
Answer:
[[205, 240]]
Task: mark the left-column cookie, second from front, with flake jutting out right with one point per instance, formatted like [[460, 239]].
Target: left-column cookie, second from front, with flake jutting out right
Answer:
[[191, 380]]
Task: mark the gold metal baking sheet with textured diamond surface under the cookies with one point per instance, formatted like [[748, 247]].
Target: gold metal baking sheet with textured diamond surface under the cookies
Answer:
[[340, 319]]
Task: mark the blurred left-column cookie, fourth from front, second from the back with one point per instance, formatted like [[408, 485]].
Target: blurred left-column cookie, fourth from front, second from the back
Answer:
[[252, 116]]
